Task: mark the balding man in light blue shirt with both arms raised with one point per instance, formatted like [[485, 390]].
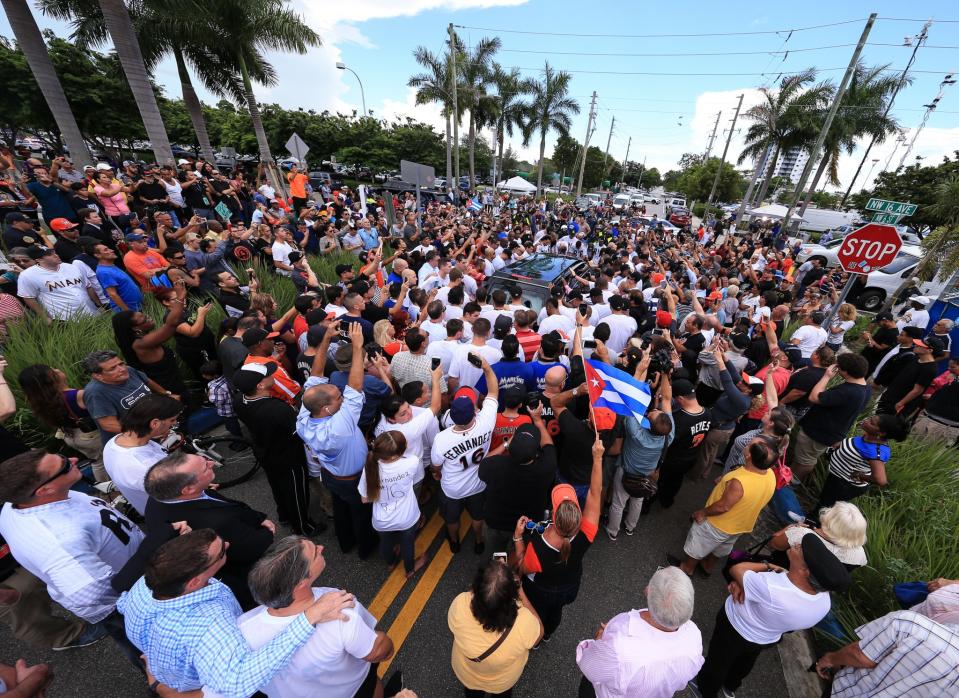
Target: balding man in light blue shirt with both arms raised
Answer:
[[328, 424]]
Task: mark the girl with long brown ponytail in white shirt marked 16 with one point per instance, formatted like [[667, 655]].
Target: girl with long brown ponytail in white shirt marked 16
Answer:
[[387, 483]]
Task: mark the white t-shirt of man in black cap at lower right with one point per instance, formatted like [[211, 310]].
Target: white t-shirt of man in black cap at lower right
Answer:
[[773, 606]]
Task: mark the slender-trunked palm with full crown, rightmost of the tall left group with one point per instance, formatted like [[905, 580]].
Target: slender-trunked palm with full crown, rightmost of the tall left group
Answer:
[[245, 28]]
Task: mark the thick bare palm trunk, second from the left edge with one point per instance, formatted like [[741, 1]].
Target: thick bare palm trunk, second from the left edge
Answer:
[[117, 19]]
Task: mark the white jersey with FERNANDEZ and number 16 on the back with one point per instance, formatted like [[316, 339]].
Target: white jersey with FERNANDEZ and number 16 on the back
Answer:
[[459, 453]]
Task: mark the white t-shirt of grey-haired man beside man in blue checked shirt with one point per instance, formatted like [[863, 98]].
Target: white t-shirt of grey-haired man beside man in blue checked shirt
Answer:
[[331, 662]]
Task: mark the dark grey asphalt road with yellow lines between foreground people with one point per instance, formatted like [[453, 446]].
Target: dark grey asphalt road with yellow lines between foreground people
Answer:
[[614, 579]]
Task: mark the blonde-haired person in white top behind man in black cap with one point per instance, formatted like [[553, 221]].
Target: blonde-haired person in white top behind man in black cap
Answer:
[[842, 529]]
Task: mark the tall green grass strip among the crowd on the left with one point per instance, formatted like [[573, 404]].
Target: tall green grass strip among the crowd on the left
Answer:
[[65, 345]]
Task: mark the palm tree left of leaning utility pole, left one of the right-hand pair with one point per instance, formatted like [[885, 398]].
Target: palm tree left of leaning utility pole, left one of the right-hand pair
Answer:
[[776, 124]]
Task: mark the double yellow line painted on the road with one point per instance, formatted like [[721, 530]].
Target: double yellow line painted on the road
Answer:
[[431, 576]]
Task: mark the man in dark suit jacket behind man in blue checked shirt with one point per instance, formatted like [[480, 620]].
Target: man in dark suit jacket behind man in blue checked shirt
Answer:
[[179, 490]]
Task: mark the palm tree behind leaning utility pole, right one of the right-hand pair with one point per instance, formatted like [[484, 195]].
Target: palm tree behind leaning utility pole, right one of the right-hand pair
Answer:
[[862, 114]]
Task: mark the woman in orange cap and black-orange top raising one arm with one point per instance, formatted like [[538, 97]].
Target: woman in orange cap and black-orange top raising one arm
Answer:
[[552, 551]]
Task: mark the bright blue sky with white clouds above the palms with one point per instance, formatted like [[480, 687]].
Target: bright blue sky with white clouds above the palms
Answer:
[[666, 115]]
